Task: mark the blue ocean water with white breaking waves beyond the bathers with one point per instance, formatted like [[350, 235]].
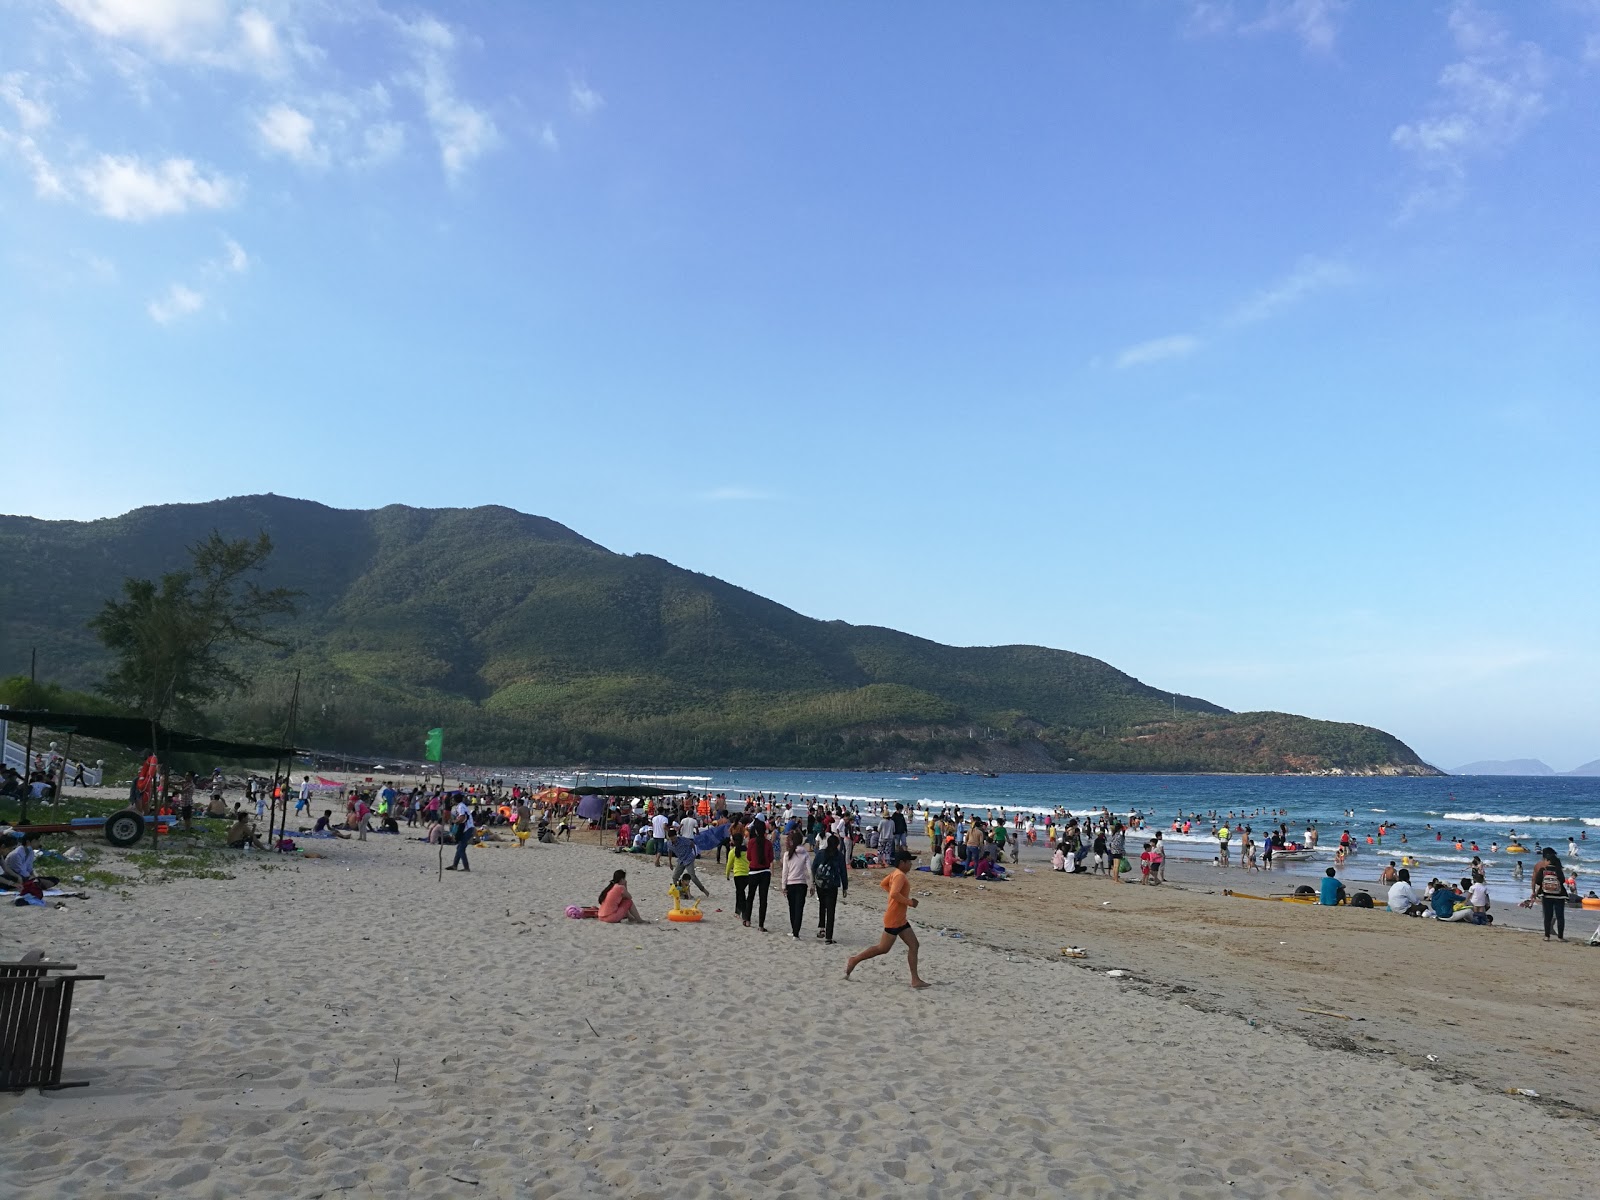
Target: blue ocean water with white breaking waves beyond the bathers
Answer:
[[1433, 815]]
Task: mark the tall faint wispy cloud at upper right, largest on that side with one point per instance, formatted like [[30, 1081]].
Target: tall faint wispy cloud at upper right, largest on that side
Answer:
[[1486, 102]]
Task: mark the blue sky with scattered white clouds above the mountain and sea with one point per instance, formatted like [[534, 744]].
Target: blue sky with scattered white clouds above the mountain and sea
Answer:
[[1249, 346]]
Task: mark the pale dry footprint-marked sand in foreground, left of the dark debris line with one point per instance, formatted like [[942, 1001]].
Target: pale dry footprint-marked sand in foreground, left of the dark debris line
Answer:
[[246, 1044]]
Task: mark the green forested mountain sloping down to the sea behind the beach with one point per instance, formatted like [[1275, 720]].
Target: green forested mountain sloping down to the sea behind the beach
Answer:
[[532, 644]]
